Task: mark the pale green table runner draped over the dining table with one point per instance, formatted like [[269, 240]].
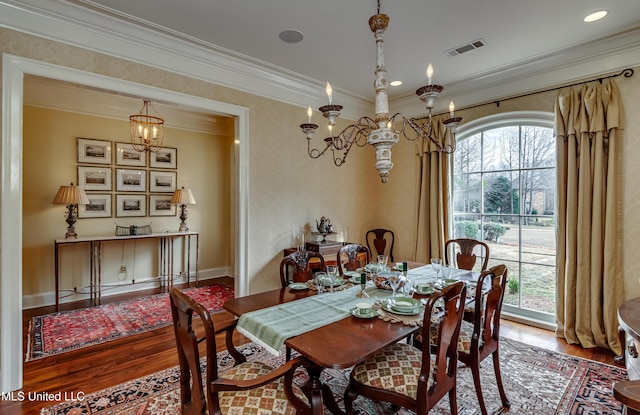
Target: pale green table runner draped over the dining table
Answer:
[[270, 327]]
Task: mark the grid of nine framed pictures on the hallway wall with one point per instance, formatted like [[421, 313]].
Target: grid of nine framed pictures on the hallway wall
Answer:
[[122, 182]]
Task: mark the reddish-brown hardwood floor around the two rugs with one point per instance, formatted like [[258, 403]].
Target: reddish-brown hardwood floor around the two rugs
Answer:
[[94, 368]]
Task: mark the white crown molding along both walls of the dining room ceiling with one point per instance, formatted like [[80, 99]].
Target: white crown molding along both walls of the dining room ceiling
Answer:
[[65, 22]]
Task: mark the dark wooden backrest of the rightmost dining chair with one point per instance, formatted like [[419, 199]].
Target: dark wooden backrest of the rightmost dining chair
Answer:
[[488, 308]]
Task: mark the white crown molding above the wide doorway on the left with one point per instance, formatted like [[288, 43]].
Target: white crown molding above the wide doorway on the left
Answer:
[[81, 27]]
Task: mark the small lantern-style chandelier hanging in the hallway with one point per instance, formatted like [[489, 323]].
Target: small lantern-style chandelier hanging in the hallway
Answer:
[[146, 131]]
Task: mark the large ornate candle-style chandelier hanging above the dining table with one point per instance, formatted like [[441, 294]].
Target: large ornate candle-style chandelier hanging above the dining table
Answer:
[[383, 131]]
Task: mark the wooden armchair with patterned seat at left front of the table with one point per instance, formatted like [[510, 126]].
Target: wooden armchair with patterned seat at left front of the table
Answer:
[[243, 389]]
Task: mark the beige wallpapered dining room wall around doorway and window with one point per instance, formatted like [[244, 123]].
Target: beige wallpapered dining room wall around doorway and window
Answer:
[[288, 190]]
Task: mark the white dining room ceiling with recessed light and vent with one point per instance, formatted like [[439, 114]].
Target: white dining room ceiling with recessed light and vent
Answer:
[[339, 47]]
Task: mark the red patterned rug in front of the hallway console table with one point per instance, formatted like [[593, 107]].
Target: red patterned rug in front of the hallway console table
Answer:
[[64, 331]]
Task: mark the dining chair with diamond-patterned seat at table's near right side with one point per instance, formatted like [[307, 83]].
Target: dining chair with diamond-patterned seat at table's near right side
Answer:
[[410, 377]]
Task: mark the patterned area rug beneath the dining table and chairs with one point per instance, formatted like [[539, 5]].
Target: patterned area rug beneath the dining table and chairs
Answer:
[[537, 382]]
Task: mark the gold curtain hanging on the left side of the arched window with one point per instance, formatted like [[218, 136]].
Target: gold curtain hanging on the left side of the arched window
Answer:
[[432, 188]]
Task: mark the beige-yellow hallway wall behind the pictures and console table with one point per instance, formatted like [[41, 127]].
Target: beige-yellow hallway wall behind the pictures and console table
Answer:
[[204, 164]]
